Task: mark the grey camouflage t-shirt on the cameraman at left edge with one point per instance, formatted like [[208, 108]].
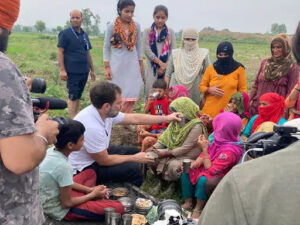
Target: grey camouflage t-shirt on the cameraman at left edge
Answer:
[[19, 195]]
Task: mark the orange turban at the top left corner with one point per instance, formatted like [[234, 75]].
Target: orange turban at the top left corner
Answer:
[[9, 12]]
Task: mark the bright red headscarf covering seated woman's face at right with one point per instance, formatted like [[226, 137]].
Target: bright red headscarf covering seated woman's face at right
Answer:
[[272, 112]]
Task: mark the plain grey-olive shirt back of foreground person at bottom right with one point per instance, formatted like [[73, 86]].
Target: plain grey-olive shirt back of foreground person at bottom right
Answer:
[[263, 191]]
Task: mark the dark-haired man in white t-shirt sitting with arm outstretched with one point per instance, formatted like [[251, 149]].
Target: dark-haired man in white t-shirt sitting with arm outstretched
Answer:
[[111, 163]]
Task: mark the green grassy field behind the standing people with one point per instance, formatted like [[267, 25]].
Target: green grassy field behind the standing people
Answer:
[[35, 55]]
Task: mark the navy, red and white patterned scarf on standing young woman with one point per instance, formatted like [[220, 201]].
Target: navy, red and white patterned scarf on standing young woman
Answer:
[[162, 37]]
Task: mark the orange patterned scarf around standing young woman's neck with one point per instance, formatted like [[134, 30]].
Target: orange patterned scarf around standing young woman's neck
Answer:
[[119, 35]]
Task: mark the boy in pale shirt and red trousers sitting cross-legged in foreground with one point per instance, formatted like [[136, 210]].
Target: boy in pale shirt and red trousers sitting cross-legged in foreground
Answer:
[[65, 197]]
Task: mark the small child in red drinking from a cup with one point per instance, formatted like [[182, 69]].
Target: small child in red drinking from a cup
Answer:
[[157, 104]]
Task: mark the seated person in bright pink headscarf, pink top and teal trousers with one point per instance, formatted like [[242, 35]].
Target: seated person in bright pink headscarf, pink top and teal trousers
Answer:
[[215, 160]]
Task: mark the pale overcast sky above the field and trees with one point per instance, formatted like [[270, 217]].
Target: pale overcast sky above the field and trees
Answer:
[[253, 16]]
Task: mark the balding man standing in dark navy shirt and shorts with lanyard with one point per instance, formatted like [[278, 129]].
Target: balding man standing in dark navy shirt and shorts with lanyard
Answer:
[[75, 60]]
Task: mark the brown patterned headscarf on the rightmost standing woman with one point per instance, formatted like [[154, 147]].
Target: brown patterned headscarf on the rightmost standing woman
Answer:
[[276, 68]]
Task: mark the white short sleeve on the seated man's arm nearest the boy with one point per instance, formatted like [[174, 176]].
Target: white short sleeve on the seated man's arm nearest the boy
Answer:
[[95, 140]]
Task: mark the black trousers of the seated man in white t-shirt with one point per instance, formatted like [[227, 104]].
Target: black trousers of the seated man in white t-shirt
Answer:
[[124, 172]]
